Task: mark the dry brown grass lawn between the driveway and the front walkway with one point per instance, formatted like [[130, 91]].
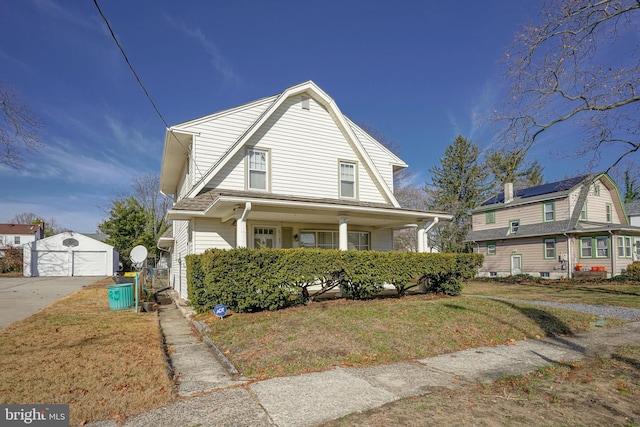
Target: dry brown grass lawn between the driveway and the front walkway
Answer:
[[105, 364]]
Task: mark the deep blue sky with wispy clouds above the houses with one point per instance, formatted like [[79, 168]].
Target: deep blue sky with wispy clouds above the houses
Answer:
[[421, 72]]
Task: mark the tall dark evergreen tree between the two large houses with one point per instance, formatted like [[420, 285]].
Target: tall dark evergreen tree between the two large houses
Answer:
[[458, 185]]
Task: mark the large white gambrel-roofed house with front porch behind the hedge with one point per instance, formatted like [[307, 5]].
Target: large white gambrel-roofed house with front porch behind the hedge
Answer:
[[286, 171]]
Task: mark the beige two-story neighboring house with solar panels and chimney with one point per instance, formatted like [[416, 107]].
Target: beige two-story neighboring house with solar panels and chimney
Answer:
[[555, 229]]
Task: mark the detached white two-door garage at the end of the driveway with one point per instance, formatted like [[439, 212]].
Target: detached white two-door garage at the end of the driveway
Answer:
[[69, 254]]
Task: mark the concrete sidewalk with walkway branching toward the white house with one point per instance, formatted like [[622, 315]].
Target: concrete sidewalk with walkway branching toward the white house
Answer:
[[211, 396]]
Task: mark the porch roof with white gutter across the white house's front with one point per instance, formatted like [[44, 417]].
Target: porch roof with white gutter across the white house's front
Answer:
[[225, 204]]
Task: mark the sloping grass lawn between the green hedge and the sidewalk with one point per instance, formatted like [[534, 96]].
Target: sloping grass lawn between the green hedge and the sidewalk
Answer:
[[345, 333]]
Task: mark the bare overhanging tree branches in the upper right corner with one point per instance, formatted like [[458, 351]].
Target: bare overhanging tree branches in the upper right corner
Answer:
[[580, 67]]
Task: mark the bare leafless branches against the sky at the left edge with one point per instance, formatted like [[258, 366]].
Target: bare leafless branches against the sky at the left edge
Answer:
[[19, 127]]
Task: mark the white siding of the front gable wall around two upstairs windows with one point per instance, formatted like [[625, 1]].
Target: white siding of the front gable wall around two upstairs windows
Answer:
[[305, 148]]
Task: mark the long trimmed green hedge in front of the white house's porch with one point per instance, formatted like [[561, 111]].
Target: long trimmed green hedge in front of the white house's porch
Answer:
[[247, 280]]
